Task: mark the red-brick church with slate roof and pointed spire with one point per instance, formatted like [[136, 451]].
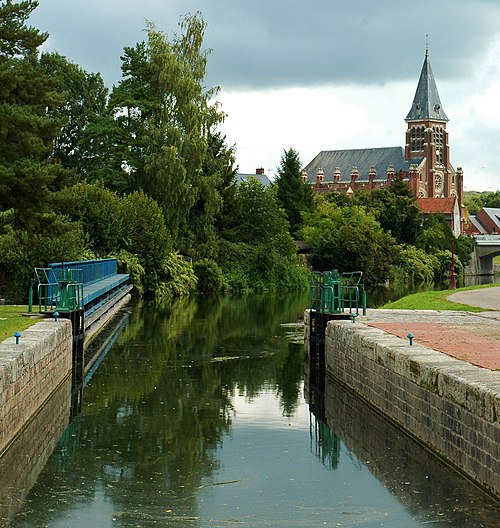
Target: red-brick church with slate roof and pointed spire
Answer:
[[424, 161]]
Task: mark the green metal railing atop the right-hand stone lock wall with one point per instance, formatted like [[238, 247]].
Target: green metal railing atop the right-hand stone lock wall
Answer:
[[336, 293]]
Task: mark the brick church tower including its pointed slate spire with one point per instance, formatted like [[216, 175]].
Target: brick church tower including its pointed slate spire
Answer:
[[427, 141]]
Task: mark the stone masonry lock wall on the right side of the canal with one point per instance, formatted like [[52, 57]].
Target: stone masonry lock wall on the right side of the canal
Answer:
[[450, 406]]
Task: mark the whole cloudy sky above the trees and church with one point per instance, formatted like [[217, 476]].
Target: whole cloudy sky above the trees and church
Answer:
[[316, 75]]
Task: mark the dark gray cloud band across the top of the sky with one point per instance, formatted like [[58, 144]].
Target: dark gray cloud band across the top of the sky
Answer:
[[266, 44]]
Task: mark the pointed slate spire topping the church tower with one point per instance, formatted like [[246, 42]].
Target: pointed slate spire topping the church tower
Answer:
[[426, 103]]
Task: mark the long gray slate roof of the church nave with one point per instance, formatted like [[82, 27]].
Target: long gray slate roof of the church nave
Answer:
[[362, 159]]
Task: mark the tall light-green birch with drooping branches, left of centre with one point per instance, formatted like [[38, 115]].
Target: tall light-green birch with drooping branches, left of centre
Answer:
[[178, 130]]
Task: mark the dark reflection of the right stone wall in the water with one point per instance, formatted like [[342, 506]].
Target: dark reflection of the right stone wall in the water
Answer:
[[422, 483]]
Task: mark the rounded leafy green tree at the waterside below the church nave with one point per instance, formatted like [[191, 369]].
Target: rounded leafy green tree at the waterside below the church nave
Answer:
[[349, 239]]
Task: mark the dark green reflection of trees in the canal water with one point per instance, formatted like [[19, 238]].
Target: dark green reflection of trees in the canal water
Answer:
[[159, 404]]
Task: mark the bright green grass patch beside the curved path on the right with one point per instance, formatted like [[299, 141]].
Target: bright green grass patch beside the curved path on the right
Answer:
[[436, 300]]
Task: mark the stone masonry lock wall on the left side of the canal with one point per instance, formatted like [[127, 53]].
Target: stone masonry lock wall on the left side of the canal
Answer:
[[30, 372]]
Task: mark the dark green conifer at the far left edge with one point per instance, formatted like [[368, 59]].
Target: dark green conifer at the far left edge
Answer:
[[28, 178]]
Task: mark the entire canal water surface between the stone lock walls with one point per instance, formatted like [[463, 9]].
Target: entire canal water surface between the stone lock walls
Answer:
[[204, 413]]
